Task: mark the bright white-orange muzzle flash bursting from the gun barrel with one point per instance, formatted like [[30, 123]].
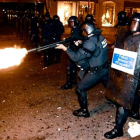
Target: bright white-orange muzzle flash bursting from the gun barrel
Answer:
[[11, 57]]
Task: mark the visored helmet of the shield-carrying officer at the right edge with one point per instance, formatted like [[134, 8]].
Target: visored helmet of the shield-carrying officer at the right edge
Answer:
[[135, 25]]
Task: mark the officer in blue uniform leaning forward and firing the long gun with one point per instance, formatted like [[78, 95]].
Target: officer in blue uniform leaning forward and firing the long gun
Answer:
[[92, 58]]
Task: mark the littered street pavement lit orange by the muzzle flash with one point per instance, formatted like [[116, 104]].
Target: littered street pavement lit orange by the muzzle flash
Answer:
[[33, 107]]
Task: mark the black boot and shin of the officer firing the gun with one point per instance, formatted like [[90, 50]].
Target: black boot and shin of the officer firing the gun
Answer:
[[82, 98]]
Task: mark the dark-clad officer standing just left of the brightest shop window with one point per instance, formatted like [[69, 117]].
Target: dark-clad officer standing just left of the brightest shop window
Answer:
[[58, 30]]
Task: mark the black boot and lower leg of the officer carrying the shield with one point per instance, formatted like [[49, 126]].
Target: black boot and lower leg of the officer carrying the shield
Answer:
[[121, 117]]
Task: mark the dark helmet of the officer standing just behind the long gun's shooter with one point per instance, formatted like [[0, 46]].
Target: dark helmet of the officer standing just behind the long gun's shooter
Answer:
[[73, 21]]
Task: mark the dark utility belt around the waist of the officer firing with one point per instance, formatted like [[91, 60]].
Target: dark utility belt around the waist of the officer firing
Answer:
[[97, 69]]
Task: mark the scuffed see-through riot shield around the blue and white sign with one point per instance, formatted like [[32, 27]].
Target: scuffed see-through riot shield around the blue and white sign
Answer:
[[122, 86]]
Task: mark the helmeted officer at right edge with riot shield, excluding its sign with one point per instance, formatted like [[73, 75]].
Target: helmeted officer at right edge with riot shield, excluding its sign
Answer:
[[123, 89]]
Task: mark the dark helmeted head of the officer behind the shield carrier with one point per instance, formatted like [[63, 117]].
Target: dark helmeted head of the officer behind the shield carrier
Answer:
[[122, 19]]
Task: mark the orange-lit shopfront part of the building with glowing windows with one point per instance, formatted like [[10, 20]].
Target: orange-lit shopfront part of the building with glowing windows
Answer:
[[104, 11]]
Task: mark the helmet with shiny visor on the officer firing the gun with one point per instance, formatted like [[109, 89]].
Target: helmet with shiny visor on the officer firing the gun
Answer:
[[87, 28]]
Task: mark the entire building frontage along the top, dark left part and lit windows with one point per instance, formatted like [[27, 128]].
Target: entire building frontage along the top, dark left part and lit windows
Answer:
[[104, 11]]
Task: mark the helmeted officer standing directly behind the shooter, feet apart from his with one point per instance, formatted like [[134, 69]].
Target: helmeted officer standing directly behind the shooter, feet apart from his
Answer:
[[71, 79]]
